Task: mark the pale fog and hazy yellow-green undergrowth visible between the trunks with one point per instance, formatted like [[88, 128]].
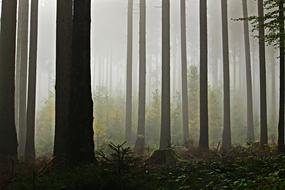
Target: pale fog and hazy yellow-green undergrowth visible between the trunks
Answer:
[[108, 65]]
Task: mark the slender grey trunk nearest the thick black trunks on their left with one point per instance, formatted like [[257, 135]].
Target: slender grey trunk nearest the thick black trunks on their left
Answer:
[[32, 83]]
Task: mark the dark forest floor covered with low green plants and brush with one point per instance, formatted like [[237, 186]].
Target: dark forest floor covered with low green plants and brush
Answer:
[[238, 168]]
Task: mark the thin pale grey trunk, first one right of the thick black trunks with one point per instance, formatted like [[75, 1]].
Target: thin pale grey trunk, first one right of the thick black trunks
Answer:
[[129, 81]]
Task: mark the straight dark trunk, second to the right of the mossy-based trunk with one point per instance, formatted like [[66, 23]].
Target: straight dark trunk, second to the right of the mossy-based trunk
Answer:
[[204, 128]]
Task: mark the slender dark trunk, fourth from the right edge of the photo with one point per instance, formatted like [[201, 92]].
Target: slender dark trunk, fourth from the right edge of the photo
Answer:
[[227, 102]]
